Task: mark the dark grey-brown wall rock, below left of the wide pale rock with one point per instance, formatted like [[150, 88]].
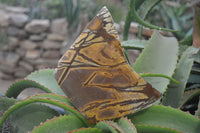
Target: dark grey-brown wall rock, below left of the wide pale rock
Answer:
[[16, 32]]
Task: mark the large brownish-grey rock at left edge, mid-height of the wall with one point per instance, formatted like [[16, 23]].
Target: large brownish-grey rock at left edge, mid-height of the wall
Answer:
[[8, 58]]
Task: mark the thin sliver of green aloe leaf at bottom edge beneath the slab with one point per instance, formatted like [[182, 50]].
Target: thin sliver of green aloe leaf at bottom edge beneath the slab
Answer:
[[87, 130]]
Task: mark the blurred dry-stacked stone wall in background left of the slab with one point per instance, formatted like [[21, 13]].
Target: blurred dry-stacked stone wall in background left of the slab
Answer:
[[32, 45]]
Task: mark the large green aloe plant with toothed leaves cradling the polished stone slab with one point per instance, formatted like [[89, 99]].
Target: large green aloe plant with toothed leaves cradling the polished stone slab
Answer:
[[52, 111]]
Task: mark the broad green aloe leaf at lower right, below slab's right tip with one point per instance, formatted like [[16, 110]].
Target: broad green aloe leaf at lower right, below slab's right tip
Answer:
[[162, 116]]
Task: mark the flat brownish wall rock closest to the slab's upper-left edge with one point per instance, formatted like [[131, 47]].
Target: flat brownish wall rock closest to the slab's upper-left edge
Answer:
[[51, 54]]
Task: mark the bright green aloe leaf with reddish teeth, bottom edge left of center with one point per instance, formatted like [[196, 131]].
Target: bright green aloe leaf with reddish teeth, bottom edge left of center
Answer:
[[60, 124]]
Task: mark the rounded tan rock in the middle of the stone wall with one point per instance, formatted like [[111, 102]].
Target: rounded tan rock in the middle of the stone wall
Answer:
[[28, 45]]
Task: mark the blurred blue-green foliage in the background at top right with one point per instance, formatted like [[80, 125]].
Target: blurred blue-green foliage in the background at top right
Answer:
[[177, 18]]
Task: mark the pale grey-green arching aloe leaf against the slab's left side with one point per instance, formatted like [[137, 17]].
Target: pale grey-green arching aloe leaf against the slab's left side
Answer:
[[42, 79]]
